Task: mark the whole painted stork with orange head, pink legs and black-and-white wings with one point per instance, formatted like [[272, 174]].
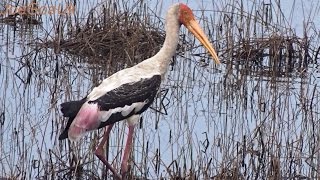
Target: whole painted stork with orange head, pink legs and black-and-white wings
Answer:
[[129, 92]]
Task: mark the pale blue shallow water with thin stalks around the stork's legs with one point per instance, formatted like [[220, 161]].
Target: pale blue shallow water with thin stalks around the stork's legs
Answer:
[[206, 120]]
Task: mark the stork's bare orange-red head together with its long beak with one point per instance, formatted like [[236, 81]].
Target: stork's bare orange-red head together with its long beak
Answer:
[[187, 18]]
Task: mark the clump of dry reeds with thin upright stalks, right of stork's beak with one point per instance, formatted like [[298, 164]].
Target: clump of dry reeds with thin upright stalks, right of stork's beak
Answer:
[[262, 40]]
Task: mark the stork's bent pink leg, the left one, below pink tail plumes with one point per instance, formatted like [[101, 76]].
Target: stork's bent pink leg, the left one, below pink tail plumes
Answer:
[[100, 154]]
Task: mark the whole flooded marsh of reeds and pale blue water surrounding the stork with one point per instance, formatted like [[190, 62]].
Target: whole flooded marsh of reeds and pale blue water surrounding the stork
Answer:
[[254, 117]]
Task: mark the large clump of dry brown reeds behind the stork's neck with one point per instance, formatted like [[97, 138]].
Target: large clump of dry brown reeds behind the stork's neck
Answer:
[[112, 34]]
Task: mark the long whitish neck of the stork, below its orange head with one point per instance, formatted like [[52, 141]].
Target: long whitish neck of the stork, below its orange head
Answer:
[[162, 59]]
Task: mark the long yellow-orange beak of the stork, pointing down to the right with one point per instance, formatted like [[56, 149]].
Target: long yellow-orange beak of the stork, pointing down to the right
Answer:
[[195, 29]]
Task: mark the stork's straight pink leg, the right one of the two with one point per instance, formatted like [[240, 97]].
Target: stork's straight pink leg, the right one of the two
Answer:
[[127, 150]]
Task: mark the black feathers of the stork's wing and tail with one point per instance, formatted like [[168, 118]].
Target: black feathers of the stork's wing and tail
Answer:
[[144, 90]]
